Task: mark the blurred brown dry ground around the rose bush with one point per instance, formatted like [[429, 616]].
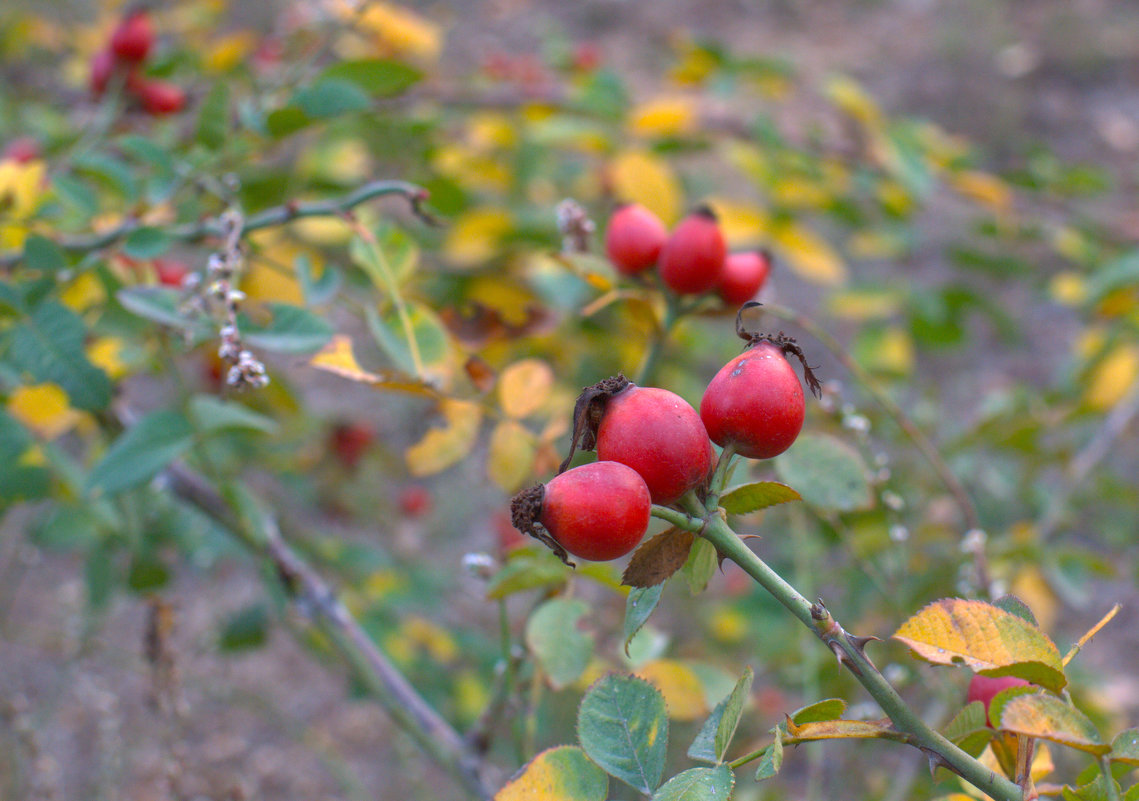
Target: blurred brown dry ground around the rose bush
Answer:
[[76, 717]]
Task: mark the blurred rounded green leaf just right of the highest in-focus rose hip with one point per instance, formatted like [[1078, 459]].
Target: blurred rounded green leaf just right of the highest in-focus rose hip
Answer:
[[829, 473]]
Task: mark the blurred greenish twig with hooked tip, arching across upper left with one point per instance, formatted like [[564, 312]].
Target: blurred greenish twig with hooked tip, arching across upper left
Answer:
[[269, 218]]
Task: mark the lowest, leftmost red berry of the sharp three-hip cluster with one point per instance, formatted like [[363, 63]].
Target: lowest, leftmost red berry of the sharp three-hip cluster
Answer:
[[599, 512]]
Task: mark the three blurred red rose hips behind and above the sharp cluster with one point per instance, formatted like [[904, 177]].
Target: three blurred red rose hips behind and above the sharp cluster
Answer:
[[692, 260]]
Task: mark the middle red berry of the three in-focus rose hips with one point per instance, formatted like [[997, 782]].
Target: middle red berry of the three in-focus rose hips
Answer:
[[659, 435]]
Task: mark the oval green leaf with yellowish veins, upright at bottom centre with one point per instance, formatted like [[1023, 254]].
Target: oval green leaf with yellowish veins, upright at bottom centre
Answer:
[[624, 726]]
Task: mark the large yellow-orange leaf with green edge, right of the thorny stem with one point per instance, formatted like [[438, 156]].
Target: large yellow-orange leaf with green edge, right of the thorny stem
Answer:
[[986, 639]]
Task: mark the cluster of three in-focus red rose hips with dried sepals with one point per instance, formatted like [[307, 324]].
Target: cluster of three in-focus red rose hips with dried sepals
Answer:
[[654, 448]]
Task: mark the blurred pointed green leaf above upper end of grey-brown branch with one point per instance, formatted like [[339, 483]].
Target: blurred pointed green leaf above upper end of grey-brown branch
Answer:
[[142, 453]]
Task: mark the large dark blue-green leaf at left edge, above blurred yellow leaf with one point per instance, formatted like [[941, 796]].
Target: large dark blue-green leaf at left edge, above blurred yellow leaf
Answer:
[[50, 346]]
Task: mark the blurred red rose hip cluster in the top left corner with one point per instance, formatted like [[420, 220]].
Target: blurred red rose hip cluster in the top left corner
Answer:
[[130, 45]]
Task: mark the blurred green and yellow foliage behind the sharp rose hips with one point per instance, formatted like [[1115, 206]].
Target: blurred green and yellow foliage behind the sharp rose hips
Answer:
[[423, 373]]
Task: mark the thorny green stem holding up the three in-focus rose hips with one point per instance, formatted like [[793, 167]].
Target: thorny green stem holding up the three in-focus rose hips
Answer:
[[848, 649]]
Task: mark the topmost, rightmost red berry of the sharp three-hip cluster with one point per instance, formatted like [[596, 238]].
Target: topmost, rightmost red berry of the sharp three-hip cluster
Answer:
[[756, 404]]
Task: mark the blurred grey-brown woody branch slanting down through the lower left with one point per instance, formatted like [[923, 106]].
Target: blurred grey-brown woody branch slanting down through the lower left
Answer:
[[401, 701]]
